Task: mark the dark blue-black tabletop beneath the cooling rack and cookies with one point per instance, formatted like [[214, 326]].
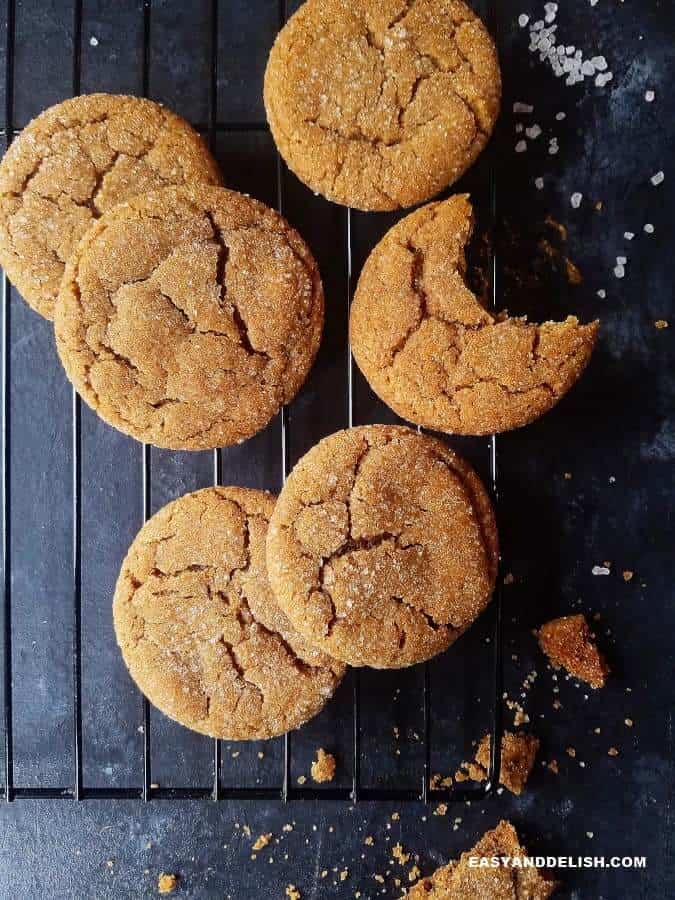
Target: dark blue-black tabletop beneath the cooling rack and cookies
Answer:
[[614, 425]]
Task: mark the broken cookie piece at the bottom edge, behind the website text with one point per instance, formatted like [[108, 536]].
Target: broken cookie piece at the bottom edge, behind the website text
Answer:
[[463, 881]]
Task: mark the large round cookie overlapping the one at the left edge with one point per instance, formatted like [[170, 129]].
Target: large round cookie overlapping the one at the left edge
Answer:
[[188, 317]]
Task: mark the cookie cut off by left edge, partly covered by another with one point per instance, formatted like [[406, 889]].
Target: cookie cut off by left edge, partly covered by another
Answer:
[[71, 164]]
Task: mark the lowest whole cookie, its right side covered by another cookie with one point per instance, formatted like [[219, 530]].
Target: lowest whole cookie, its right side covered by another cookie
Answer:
[[198, 626]]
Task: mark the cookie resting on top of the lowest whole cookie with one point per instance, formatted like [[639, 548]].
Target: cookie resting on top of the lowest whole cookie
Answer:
[[382, 548]]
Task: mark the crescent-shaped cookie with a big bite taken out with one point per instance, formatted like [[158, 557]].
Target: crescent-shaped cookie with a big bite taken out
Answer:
[[432, 352]]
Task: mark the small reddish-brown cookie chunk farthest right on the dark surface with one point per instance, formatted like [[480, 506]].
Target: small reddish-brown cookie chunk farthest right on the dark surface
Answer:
[[568, 642]]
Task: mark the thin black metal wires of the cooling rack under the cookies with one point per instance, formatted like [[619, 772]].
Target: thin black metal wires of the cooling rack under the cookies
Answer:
[[285, 791]]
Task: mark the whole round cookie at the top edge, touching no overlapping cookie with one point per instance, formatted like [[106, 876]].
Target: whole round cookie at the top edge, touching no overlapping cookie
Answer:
[[381, 104]]
